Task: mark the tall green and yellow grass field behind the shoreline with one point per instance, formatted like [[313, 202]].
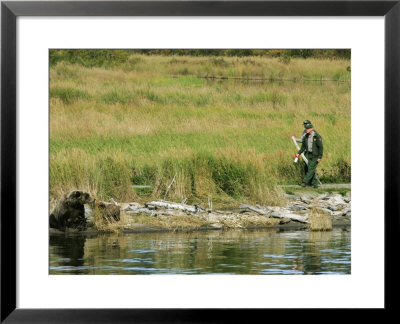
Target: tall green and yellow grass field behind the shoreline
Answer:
[[145, 126]]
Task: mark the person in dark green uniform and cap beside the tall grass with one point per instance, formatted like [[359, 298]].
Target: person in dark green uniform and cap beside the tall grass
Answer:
[[313, 150]]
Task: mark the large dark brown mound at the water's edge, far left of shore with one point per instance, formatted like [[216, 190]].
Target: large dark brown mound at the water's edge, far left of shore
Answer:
[[69, 211]]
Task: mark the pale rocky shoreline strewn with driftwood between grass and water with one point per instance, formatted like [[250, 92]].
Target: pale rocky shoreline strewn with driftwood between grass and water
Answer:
[[169, 216]]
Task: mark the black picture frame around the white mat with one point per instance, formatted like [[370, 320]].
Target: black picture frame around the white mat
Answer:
[[390, 10]]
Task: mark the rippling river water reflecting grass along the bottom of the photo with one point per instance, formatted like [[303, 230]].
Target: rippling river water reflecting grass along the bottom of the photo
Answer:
[[258, 252]]
